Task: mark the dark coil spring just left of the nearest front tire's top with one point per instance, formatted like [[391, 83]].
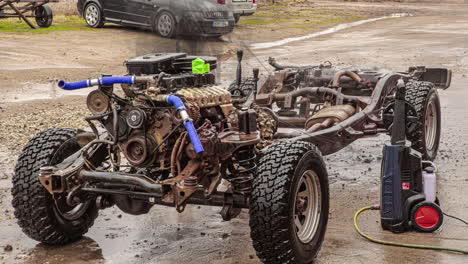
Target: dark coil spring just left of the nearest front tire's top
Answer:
[[243, 169]]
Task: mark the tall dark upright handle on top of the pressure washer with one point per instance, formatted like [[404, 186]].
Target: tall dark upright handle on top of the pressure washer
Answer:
[[398, 133]]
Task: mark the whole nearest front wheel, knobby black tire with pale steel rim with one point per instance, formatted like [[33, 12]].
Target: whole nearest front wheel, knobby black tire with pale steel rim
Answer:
[[289, 203]]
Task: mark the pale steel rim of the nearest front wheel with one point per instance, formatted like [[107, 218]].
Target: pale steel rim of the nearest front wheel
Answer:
[[307, 210]]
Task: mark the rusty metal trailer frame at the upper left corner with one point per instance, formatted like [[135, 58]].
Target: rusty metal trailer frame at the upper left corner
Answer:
[[30, 6]]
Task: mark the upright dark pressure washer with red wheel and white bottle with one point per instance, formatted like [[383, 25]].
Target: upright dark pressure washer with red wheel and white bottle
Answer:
[[408, 194]]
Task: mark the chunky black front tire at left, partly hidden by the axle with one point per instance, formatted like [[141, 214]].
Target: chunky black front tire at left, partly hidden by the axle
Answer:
[[38, 214]]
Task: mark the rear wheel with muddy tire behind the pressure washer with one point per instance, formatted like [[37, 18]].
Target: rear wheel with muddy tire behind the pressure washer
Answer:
[[426, 135]]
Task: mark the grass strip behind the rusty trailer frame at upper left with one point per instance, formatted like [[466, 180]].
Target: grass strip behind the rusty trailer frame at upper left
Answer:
[[60, 23]]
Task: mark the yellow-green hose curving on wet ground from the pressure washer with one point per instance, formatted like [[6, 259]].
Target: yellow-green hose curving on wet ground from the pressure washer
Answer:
[[397, 244]]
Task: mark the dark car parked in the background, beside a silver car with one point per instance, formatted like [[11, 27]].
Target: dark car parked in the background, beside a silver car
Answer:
[[167, 17]]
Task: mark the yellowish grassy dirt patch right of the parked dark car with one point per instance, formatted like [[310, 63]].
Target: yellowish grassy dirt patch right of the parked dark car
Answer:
[[285, 19]]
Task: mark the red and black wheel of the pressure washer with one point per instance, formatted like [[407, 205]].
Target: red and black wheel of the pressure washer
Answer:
[[426, 217]]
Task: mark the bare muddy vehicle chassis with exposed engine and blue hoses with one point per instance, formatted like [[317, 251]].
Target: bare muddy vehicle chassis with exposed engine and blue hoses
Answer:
[[224, 139]]
